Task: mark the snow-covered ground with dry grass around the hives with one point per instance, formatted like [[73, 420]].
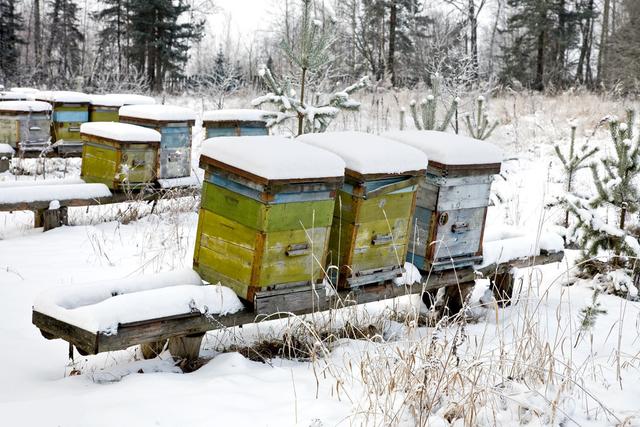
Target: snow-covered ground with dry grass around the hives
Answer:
[[527, 364]]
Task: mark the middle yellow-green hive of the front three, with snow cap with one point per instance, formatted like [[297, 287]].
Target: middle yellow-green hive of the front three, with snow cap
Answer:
[[372, 216]]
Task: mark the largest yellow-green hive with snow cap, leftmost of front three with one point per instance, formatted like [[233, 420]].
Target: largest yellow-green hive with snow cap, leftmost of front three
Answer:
[[263, 230]]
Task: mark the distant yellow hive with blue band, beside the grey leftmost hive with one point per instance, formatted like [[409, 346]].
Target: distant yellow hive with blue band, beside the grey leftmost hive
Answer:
[[70, 110]]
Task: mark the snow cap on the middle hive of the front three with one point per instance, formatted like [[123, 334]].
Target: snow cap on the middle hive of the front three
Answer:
[[369, 154]]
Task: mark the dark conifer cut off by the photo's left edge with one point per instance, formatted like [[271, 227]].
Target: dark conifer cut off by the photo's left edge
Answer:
[[10, 26]]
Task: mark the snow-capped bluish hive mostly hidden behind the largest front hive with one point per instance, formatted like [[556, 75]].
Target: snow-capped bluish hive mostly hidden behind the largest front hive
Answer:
[[239, 122]]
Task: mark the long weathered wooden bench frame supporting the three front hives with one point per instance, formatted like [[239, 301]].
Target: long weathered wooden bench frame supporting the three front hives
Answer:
[[185, 332]]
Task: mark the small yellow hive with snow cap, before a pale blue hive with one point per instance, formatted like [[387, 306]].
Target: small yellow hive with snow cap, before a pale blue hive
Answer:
[[119, 155]]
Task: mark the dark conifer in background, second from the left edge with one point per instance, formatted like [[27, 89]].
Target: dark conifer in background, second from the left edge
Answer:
[[63, 47]]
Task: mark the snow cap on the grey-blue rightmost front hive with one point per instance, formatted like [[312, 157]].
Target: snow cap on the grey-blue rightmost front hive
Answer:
[[449, 149]]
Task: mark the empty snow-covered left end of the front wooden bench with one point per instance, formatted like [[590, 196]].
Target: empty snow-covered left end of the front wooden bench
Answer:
[[114, 315]]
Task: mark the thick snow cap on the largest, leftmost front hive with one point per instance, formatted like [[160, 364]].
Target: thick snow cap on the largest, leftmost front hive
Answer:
[[274, 157]]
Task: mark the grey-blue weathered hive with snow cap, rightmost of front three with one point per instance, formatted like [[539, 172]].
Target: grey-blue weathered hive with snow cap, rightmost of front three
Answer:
[[452, 201]]
